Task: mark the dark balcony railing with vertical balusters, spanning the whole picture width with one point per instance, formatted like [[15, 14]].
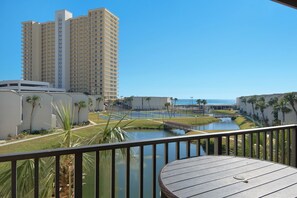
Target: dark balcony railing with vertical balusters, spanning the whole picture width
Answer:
[[276, 144]]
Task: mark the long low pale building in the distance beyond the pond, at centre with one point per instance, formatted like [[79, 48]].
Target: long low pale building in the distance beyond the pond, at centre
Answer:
[[154, 103]]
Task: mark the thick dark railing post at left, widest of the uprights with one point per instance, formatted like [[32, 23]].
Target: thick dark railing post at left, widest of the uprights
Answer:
[[78, 175]]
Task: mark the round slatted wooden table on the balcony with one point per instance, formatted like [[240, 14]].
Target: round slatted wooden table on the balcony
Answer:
[[227, 176]]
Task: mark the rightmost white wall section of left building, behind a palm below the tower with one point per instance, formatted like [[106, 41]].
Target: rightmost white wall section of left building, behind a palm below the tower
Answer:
[[83, 115]]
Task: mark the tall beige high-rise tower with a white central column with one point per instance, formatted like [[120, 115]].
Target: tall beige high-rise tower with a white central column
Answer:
[[77, 54]]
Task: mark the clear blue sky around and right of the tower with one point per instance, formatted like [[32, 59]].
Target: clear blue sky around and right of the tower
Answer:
[[180, 48]]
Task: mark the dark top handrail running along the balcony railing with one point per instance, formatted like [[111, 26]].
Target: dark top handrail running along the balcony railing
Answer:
[[135, 143]]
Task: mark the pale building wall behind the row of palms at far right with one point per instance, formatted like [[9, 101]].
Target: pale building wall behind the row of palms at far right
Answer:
[[290, 118]]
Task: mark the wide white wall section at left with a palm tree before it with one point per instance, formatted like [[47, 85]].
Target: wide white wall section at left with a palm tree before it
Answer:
[[42, 115]]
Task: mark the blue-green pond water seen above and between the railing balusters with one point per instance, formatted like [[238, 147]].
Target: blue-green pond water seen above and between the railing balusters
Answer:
[[120, 177]]
